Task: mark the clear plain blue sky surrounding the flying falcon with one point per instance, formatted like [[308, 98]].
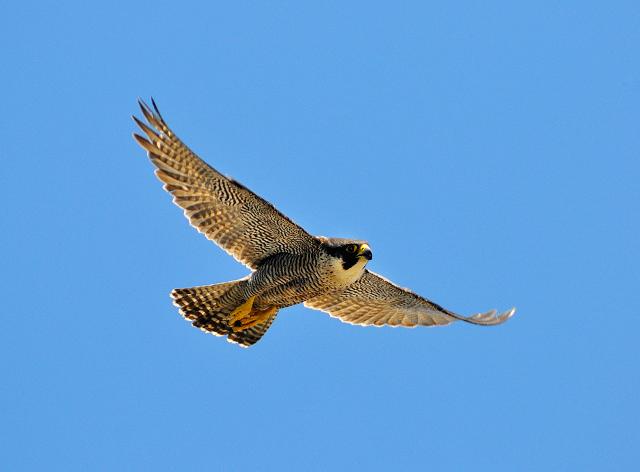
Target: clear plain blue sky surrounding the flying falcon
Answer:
[[489, 152]]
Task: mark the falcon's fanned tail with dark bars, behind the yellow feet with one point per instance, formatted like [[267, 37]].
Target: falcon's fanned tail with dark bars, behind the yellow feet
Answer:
[[209, 307]]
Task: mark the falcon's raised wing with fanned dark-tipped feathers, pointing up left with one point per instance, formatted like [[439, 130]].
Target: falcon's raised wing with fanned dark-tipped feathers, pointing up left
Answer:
[[229, 214]]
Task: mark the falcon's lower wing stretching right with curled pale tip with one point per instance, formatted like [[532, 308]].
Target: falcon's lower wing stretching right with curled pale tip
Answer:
[[374, 300]]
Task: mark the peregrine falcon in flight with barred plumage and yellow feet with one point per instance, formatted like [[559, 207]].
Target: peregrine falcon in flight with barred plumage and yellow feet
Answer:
[[288, 265]]
